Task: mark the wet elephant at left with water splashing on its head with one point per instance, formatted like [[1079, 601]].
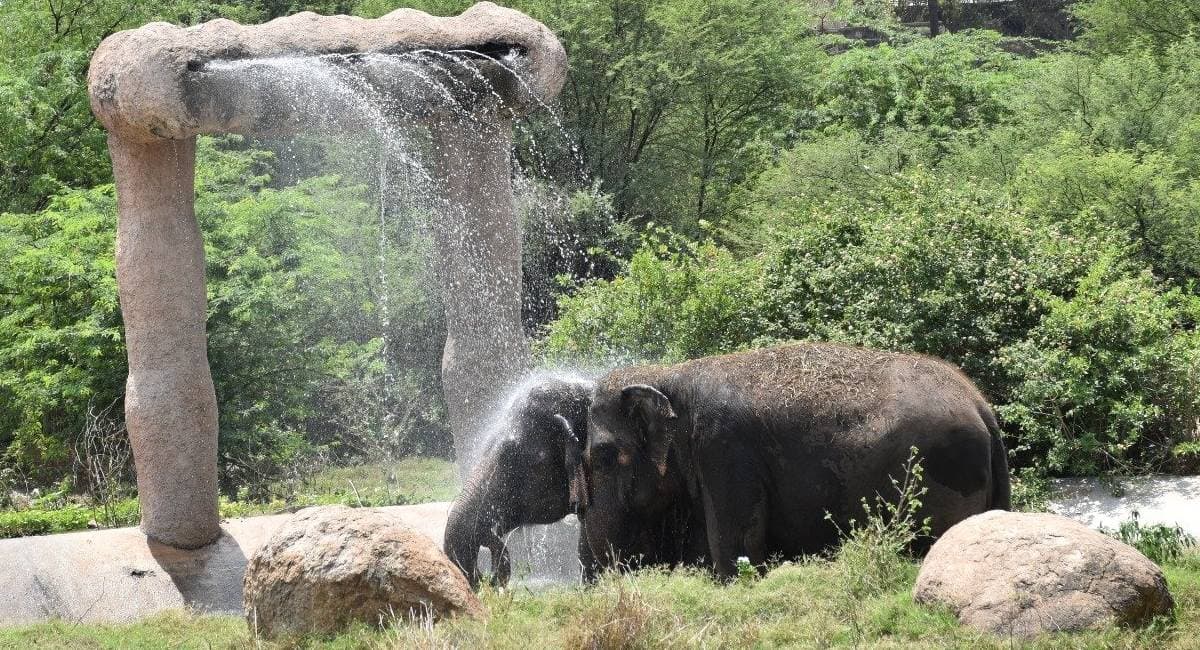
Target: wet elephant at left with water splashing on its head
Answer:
[[524, 477]]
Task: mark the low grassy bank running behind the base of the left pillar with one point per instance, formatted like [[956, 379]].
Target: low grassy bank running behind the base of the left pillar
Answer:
[[413, 480]]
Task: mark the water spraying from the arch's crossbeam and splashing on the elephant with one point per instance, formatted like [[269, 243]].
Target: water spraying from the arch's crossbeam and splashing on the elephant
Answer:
[[388, 97]]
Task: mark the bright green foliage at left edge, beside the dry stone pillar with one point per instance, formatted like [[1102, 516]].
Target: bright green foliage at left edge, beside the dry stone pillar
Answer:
[[61, 328]]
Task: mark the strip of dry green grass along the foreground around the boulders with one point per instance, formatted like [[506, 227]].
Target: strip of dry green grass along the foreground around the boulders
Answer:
[[795, 606]]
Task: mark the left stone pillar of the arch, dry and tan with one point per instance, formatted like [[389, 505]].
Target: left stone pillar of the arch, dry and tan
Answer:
[[171, 407]]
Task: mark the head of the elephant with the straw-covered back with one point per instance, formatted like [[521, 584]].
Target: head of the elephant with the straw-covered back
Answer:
[[632, 487]]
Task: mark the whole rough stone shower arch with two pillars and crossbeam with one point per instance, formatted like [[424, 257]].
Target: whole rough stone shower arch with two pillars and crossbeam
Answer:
[[153, 89]]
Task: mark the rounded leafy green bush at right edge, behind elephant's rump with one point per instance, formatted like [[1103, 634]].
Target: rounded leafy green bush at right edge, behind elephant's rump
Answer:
[[1106, 382]]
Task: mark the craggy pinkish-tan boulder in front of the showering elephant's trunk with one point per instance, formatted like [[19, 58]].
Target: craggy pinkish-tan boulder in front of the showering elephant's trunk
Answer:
[[331, 567]]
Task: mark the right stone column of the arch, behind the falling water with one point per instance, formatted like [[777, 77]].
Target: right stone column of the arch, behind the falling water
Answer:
[[479, 266]]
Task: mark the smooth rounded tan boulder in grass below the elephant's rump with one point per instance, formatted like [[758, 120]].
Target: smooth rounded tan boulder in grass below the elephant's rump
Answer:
[[1025, 574]]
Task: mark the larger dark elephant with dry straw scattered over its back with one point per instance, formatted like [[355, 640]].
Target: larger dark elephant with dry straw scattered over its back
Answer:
[[770, 454]]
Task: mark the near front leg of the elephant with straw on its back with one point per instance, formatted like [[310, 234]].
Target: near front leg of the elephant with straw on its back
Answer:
[[735, 502]]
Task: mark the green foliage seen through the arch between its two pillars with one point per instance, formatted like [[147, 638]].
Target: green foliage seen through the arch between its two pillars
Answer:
[[296, 338]]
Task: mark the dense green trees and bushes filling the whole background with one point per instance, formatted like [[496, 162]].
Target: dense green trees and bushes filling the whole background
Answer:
[[737, 178]]
